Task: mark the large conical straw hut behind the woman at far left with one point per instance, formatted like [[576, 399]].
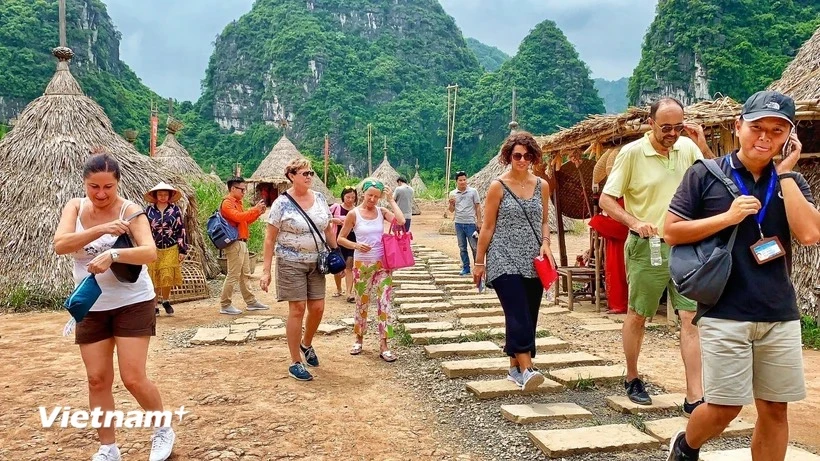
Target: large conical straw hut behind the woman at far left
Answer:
[[41, 163]]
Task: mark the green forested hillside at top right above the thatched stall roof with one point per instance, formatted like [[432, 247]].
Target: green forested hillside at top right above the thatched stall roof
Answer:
[[741, 45]]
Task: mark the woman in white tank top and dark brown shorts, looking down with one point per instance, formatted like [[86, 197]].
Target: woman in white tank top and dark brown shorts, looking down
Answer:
[[123, 316]]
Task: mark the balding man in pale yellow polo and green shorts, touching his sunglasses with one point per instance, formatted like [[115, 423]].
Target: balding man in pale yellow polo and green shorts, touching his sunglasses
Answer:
[[646, 174]]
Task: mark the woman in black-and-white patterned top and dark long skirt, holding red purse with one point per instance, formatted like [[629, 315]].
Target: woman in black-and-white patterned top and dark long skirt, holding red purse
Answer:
[[515, 231]]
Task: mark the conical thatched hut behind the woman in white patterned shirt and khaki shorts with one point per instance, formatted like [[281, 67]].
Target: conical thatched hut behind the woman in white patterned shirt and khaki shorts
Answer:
[[270, 175]]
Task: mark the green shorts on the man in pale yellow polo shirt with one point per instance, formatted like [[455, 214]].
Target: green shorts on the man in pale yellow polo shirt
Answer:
[[647, 282]]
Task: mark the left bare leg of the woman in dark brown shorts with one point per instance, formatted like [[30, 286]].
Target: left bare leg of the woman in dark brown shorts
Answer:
[[99, 367]]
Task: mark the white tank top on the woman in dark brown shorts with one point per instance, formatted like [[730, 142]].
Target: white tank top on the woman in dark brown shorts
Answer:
[[115, 294]]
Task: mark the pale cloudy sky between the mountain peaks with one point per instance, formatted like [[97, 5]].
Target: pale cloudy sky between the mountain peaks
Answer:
[[168, 42]]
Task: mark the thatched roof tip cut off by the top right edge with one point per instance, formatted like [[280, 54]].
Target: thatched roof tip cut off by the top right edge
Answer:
[[801, 79]]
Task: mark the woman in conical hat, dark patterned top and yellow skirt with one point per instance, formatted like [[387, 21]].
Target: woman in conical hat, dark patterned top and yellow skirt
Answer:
[[168, 229]]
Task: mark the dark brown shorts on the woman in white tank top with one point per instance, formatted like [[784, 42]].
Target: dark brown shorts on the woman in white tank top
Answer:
[[131, 321]]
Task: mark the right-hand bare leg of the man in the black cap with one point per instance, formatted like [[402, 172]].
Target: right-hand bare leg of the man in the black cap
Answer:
[[771, 435]]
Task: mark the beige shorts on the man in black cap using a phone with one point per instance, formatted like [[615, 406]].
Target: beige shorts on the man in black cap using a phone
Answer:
[[743, 361]]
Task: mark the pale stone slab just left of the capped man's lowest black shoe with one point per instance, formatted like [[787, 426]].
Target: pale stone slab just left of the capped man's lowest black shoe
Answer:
[[560, 443]]
